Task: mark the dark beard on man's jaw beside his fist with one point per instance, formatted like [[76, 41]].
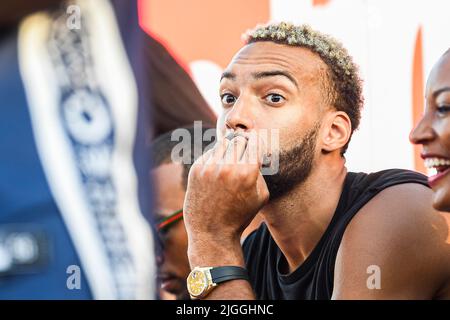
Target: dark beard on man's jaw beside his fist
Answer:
[[294, 166]]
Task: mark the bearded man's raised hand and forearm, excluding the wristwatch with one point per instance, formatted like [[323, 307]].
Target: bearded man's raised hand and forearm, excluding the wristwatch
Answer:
[[225, 191]]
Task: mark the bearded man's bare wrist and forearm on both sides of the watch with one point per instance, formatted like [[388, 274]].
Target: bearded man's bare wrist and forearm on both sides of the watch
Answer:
[[204, 253]]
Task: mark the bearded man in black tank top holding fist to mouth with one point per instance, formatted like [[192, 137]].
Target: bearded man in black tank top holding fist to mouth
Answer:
[[327, 233]]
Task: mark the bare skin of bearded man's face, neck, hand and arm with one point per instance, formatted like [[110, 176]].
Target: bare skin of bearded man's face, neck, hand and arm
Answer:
[[275, 86]]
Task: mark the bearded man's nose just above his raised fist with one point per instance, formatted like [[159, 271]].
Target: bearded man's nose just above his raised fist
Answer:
[[241, 116]]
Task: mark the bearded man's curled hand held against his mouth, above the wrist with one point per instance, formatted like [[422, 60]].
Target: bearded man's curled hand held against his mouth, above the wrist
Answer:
[[225, 189]]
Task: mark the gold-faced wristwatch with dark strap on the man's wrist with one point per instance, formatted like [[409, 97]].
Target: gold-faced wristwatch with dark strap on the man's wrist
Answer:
[[202, 280]]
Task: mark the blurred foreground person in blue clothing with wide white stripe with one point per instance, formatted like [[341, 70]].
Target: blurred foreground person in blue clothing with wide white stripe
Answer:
[[83, 89]]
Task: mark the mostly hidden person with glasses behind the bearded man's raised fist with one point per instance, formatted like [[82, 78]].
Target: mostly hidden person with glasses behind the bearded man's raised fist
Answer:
[[170, 180]]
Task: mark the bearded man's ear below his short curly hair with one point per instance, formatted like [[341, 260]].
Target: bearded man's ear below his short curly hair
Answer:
[[337, 131]]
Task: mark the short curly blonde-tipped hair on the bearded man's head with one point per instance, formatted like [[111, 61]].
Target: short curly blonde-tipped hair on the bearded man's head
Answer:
[[343, 85]]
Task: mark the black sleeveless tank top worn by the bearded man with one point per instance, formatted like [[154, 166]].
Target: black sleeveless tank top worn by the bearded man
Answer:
[[313, 279]]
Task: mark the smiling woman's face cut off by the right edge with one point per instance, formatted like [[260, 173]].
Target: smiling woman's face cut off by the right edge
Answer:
[[433, 132]]
